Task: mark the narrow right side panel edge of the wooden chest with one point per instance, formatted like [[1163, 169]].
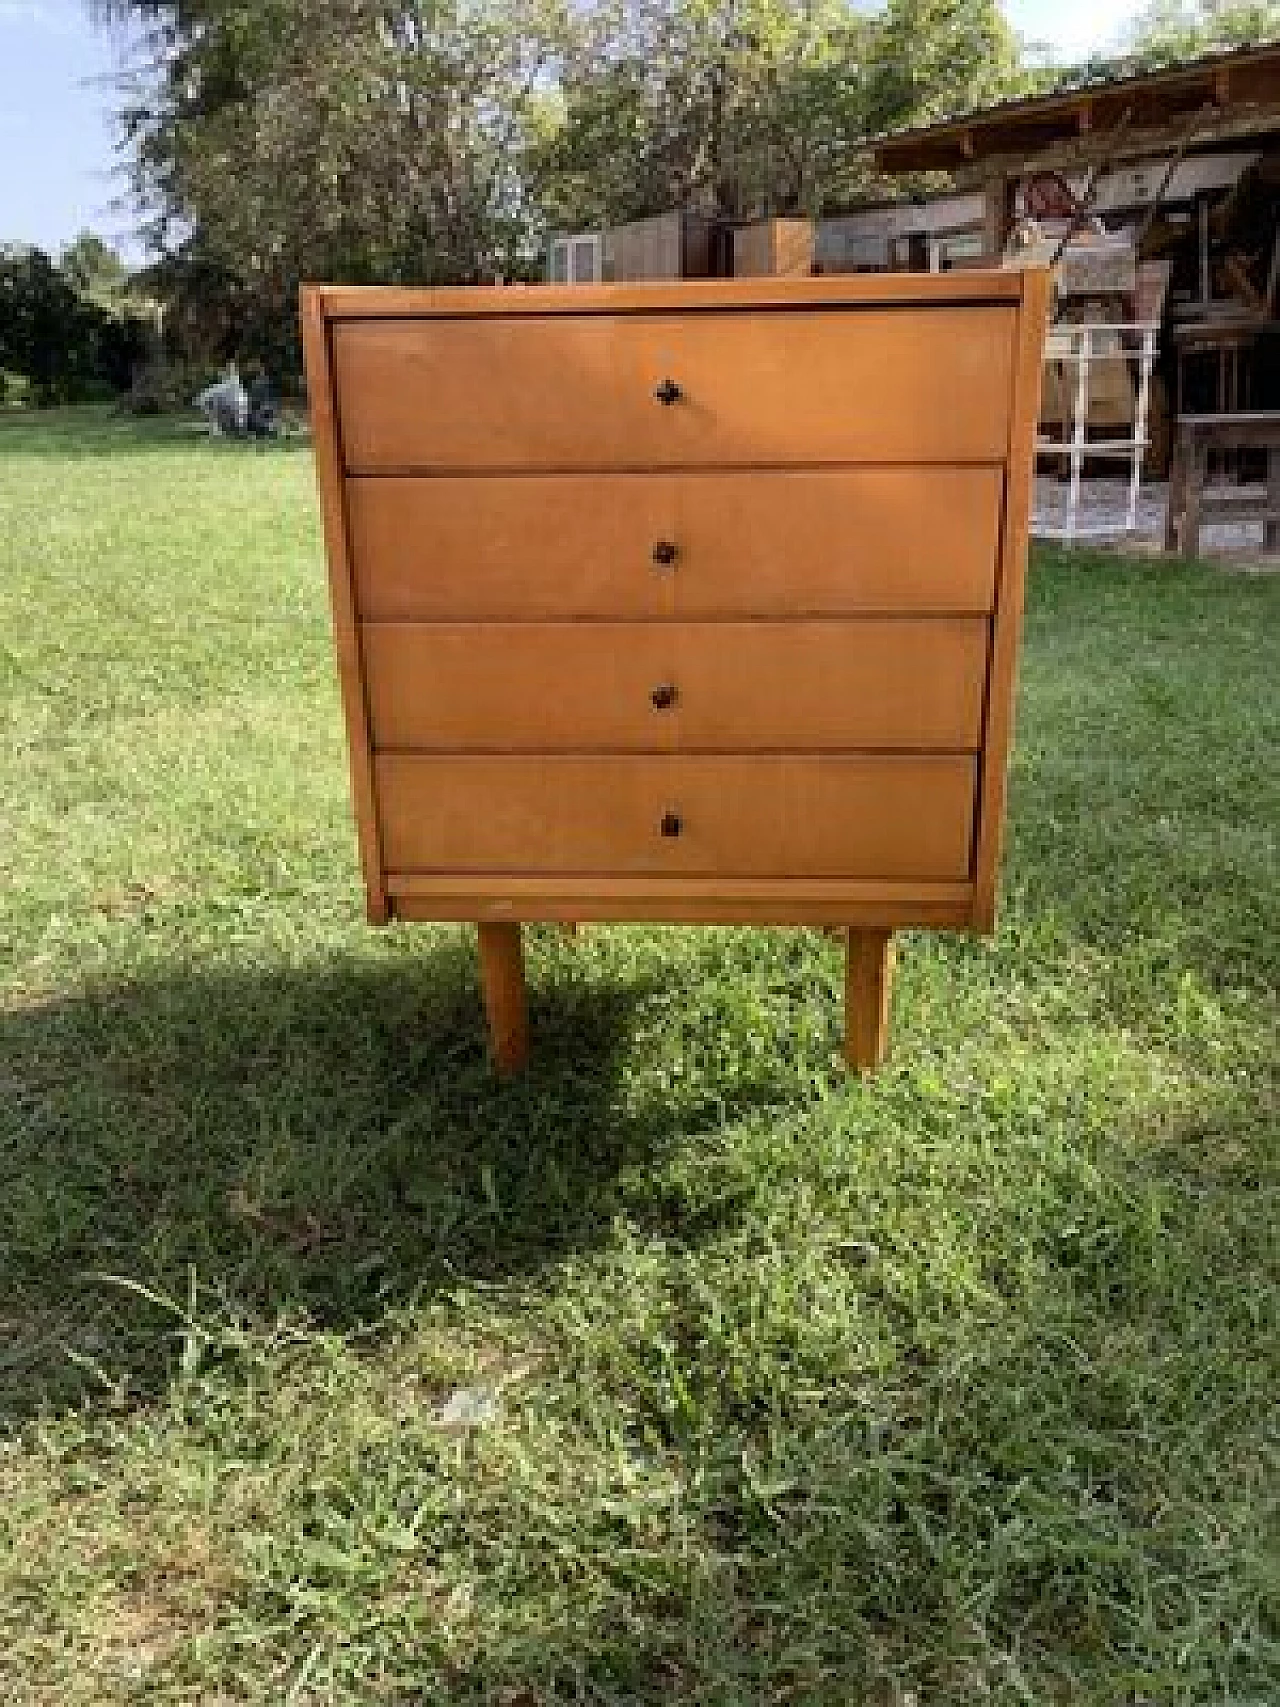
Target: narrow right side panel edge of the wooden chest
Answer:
[[1011, 585]]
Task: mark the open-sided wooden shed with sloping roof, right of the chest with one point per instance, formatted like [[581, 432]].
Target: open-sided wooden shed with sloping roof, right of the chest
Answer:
[[1180, 165]]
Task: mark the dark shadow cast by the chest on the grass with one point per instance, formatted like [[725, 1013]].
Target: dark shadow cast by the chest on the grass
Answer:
[[323, 1139]]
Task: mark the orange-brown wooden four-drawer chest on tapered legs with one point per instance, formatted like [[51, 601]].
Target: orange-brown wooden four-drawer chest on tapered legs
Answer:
[[690, 602]]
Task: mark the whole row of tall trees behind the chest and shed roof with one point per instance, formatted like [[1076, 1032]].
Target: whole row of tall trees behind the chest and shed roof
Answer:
[[438, 141]]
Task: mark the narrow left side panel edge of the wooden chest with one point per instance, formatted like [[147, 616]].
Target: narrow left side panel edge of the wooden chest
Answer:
[[342, 595]]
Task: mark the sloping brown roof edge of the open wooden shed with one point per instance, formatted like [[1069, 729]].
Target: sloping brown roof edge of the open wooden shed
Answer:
[[1097, 100]]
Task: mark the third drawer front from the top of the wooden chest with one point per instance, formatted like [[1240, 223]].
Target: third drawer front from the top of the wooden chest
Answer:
[[668, 687]]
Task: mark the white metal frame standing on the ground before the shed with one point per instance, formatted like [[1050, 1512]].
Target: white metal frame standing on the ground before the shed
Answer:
[[1085, 347]]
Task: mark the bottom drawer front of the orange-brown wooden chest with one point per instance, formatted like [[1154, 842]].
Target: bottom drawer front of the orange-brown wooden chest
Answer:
[[769, 817]]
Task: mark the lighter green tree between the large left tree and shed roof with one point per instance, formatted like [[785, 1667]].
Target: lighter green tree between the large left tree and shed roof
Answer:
[[755, 105]]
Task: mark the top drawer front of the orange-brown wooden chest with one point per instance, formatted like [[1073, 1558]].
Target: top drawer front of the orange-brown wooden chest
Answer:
[[755, 388]]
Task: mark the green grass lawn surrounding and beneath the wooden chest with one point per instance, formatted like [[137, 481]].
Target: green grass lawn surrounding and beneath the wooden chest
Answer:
[[953, 1387]]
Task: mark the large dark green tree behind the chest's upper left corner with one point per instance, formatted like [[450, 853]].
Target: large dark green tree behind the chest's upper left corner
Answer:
[[339, 139]]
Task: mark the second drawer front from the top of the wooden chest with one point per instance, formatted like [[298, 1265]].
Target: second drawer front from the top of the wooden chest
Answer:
[[789, 544]]
